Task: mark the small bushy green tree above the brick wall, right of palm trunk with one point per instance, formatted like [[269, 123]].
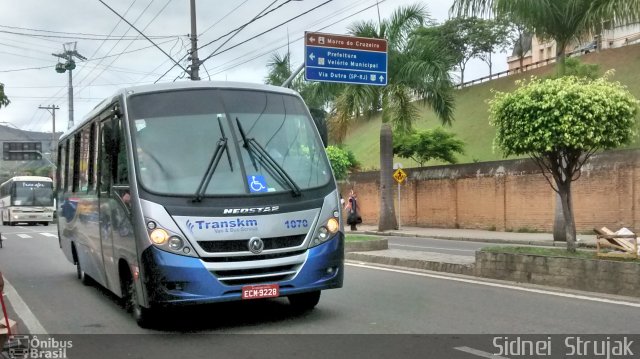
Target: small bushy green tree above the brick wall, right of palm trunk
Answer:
[[423, 146]]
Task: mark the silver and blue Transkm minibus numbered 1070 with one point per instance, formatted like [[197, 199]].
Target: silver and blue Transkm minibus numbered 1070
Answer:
[[200, 192]]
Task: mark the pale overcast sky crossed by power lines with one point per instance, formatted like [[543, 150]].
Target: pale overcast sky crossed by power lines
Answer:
[[31, 31]]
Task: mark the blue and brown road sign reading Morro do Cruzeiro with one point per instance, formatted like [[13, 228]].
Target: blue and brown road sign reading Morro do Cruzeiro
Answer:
[[345, 59]]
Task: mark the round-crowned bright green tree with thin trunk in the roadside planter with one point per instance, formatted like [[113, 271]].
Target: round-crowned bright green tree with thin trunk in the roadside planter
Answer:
[[560, 123]]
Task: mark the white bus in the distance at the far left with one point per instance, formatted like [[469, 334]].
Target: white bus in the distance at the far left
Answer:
[[27, 199]]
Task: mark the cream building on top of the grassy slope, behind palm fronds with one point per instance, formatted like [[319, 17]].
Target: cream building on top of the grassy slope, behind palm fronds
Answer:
[[545, 51]]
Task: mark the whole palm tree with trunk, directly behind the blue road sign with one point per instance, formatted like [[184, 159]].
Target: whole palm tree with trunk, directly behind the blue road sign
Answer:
[[414, 71]]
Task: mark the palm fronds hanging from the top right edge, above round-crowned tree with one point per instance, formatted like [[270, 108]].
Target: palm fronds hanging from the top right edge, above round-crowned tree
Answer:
[[559, 20]]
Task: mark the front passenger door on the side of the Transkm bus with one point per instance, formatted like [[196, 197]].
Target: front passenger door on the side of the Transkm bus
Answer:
[[115, 215]]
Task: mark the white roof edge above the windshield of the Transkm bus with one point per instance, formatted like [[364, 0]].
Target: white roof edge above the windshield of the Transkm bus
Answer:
[[126, 91]]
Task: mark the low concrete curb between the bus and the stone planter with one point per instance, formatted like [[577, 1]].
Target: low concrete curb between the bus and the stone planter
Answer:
[[456, 268]]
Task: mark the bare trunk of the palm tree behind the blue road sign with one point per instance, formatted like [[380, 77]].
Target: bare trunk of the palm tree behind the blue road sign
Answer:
[[387, 211]]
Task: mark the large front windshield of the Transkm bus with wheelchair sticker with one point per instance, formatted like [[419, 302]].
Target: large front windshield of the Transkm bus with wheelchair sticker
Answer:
[[176, 134]]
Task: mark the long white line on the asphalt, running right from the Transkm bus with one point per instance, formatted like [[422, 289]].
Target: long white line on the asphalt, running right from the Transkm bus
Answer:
[[504, 286]]
